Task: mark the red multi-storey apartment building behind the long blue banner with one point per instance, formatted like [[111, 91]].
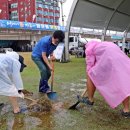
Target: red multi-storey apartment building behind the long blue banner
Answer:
[[37, 11]]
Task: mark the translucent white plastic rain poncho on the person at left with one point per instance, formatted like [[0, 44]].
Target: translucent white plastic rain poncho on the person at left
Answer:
[[10, 78]]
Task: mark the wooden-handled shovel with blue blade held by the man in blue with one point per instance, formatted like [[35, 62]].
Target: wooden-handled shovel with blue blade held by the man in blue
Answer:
[[52, 95]]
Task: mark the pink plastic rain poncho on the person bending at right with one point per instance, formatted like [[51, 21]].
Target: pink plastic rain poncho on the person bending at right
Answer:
[[109, 69]]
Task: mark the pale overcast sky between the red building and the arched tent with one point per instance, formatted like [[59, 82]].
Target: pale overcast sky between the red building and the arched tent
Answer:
[[66, 9]]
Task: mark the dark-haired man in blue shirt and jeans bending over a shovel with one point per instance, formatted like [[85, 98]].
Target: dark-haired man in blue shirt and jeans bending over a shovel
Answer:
[[42, 50]]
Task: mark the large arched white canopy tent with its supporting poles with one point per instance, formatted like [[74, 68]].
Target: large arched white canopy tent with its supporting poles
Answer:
[[99, 14]]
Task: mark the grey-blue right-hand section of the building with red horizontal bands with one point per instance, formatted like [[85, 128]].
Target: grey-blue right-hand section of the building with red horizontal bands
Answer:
[[47, 12]]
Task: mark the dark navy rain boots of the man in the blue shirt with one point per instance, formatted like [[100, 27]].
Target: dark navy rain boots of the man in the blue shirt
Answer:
[[43, 86]]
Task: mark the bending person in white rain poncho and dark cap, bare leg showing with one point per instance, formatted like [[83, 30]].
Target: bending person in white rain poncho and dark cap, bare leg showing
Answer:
[[11, 64]]
